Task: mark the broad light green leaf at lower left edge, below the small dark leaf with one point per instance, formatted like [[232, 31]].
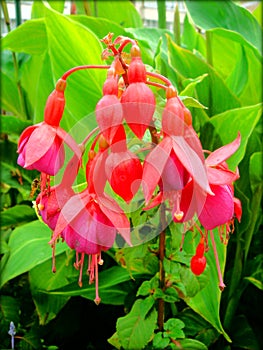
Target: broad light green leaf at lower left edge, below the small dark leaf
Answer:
[[28, 247]]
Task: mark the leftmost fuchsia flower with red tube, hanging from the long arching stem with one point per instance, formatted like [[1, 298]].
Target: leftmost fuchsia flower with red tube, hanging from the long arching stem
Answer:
[[40, 146]]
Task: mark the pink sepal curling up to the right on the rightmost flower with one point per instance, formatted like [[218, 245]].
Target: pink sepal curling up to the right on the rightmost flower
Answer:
[[223, 153]]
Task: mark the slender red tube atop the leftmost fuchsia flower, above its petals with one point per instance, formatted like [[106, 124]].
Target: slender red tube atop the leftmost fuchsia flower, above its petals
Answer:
[[55, 104]]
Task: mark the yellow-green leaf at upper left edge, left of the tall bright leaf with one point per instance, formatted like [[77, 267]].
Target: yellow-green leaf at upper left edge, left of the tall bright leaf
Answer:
[[30, 37]]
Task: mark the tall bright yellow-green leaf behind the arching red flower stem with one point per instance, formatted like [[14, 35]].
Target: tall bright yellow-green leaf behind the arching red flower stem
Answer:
[[84, 88]]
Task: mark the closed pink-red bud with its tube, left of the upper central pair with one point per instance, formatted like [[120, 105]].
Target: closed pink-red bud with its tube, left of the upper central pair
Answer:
[[109, 113]]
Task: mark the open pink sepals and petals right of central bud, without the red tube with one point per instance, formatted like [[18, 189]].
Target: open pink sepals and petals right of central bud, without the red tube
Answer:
[[182, 163]]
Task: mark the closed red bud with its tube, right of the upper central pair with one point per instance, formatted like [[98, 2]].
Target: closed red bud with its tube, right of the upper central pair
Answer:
[[138, 100]]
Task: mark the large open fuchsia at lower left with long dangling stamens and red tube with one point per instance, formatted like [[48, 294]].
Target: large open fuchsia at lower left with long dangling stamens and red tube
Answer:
[[90, 220]]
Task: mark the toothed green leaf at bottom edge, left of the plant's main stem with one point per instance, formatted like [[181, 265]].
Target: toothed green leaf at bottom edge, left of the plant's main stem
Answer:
[[136, 329]]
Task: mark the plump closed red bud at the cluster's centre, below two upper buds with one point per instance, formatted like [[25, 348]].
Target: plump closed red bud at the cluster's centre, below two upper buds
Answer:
[[124, 173]]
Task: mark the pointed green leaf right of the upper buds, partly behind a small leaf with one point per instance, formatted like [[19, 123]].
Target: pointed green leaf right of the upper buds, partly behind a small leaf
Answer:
[[212, 91]]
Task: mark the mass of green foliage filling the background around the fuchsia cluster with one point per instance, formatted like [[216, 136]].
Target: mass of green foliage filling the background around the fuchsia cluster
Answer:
[[217, 70]]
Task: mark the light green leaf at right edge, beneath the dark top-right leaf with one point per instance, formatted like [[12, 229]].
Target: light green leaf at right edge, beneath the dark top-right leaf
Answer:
[[240, 66]]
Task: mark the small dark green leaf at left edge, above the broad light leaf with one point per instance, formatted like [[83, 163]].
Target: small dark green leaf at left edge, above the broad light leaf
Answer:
[[17, 215]]
